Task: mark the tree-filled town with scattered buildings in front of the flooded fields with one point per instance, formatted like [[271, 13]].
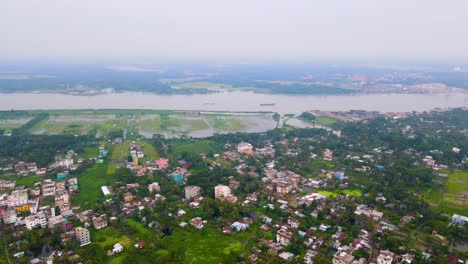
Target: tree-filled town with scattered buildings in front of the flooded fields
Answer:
[[387, 188]]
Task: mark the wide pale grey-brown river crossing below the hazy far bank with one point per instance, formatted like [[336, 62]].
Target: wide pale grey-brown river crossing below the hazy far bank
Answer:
[[235, 101]]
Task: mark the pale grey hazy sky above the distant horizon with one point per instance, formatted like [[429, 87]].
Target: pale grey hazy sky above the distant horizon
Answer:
[[234, 28]]
